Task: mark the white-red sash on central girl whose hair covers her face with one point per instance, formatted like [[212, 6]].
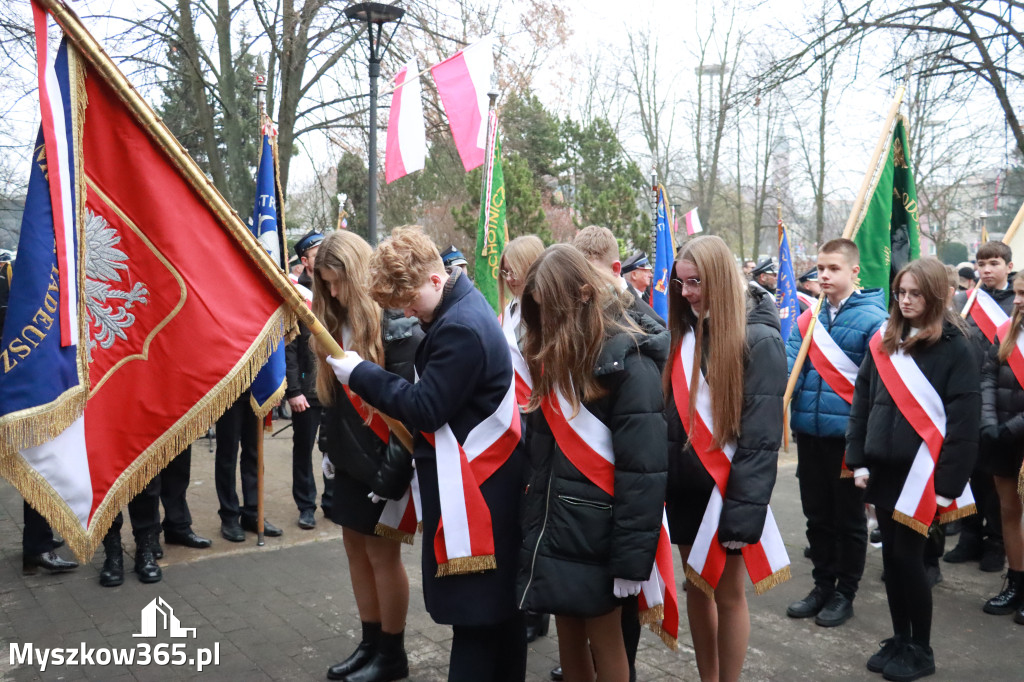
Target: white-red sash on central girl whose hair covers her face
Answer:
[[587, 443]]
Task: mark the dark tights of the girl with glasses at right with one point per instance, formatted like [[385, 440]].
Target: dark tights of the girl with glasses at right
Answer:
[[907, 587]]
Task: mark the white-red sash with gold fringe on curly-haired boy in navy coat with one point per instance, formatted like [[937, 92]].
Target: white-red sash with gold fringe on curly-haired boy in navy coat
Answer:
[[464, 542]]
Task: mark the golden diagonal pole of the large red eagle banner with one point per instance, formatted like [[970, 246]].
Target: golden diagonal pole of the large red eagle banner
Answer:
[[102, 63]]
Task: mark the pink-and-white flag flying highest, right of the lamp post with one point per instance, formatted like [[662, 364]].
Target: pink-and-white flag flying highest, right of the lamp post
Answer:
[[463, 81]]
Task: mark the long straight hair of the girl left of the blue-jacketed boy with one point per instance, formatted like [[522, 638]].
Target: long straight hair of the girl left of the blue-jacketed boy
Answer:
[[724, 302]]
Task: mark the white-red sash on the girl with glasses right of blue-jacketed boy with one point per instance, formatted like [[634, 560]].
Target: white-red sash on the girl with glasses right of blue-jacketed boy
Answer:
[[922, 406]]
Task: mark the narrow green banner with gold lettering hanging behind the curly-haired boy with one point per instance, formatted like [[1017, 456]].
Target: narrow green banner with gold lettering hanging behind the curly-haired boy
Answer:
[[492, 233]]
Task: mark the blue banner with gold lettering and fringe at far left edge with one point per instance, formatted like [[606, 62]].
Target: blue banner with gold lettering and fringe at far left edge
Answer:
[[45, 385]]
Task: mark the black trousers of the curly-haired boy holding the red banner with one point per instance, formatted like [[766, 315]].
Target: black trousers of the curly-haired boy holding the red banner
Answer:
[[490, 654]]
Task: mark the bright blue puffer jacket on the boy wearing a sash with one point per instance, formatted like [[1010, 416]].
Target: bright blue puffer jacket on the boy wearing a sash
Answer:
[[817, 410]]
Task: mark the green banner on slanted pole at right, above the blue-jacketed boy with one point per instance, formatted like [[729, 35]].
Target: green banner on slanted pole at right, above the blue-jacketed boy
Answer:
[[889, 237]]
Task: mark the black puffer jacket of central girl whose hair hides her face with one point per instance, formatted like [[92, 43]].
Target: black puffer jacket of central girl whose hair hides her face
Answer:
[[577, 538]]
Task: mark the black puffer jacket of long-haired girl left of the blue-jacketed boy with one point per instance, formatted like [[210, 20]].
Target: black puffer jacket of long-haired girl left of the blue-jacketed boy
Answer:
[[752, 478]]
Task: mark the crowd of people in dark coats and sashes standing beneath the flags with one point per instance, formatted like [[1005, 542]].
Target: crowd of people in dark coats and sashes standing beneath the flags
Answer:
[[544, 451]]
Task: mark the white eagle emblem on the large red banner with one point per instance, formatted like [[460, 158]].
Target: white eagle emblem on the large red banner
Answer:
[[103, 261]]
